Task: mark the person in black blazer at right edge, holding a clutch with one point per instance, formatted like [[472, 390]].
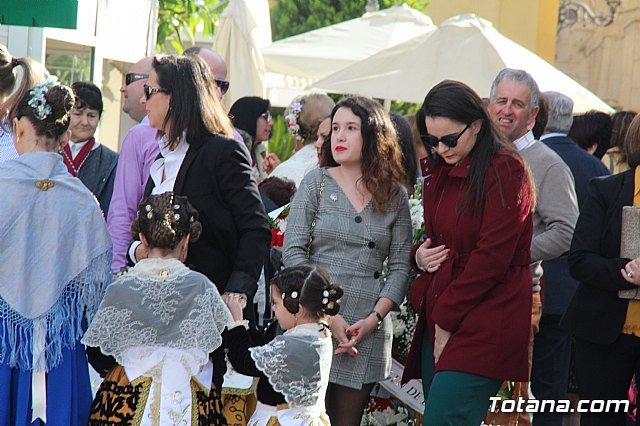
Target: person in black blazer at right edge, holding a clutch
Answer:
[[607, 341]]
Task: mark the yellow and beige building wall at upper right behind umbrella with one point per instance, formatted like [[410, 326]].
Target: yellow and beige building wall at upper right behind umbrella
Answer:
[[593, 41]]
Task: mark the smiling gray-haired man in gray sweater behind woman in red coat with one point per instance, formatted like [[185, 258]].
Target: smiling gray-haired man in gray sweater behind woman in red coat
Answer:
[[513, 105]]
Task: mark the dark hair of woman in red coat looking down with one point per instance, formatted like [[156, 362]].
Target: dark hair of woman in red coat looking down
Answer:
[[457, 101]]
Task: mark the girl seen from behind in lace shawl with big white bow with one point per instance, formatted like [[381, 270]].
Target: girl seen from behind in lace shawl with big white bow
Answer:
[[160, 322]]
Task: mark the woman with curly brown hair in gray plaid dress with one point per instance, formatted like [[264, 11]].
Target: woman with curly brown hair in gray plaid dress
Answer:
[[361, 217]]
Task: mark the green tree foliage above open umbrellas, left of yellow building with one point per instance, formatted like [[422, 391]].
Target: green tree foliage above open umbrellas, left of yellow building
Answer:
[[291, 17]]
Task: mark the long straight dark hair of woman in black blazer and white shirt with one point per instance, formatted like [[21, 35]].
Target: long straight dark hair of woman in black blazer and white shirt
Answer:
[[194, 106]]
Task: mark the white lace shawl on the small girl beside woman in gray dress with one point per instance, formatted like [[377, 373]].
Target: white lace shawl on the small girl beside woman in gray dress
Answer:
[[297, 364]]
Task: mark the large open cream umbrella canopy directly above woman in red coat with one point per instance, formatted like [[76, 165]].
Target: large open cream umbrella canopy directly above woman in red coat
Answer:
[[465, 48]]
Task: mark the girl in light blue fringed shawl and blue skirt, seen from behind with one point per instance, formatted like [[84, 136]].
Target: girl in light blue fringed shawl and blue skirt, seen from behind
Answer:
[[56, 253]]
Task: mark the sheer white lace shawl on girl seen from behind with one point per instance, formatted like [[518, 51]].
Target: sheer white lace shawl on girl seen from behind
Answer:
[[160, 303]]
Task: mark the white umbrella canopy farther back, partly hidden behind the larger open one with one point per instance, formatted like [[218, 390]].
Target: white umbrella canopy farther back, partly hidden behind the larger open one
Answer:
[[295, 62]]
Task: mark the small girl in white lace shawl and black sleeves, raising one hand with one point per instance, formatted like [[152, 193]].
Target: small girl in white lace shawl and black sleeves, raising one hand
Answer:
[[294, 367]]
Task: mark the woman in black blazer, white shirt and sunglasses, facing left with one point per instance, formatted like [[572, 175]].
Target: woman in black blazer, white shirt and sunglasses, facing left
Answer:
[[199, 159]]
